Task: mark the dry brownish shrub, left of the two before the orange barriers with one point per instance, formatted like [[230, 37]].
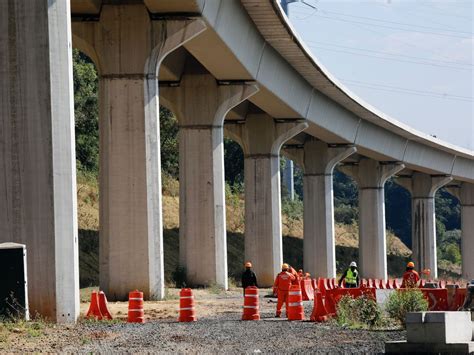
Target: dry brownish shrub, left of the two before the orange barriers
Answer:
[[359, 312]]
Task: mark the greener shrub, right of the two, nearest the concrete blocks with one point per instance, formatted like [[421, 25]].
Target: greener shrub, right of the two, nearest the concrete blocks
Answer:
[[401, 302]]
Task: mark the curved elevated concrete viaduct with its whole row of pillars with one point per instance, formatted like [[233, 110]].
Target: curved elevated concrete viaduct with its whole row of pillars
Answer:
[[224, 67]]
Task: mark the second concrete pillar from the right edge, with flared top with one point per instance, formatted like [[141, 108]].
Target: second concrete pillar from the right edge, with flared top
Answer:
[[423, 189]]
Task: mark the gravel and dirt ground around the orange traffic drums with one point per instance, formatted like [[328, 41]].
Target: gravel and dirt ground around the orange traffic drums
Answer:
[[219, 329]]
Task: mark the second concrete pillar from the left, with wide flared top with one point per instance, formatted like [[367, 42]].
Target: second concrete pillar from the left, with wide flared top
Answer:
[[129, 49]]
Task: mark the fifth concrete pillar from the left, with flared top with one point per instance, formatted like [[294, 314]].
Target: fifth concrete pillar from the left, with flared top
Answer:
[[317, 160]]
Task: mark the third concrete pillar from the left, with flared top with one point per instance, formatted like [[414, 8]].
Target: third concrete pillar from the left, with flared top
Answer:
[[201, 105]]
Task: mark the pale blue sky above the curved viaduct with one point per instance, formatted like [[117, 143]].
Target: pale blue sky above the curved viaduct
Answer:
[[411, 59]]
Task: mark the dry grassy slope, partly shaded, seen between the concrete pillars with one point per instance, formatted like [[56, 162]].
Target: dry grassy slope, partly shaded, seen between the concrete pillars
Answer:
[[346, 236]]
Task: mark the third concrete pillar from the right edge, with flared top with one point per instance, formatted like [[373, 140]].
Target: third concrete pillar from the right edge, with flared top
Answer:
[[371, 176]]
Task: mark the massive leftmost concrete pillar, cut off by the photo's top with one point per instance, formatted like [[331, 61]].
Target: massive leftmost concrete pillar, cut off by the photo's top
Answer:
[[37, 151]]
